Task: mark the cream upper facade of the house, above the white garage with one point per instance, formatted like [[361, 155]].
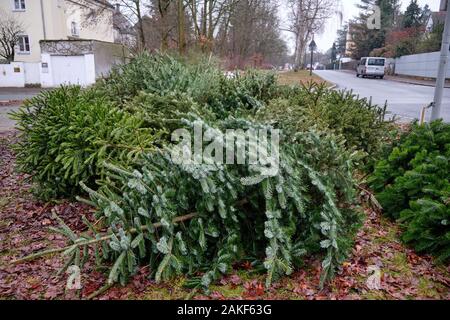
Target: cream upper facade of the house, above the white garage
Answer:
[[58, 20]]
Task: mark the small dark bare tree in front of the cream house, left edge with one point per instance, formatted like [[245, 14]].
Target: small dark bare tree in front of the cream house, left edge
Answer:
[[10, 31]]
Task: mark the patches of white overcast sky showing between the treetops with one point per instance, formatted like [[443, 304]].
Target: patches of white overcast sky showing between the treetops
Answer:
[[325, 40]]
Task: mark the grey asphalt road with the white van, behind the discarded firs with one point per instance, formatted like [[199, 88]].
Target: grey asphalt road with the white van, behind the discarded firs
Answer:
[[404, 100]]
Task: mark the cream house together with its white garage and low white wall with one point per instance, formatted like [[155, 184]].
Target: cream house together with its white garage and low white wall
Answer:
[[64, 41]]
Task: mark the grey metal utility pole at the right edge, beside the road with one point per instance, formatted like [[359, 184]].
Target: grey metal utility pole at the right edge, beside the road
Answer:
[[443, 63]]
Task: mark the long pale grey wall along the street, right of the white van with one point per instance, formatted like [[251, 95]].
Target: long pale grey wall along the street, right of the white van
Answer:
[[419, 65]]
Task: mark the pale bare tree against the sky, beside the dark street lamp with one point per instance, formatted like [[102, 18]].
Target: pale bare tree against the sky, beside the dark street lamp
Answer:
[[306, 18]]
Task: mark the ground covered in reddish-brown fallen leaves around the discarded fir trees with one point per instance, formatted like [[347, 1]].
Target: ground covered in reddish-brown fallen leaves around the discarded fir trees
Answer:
[[24, 230]]
